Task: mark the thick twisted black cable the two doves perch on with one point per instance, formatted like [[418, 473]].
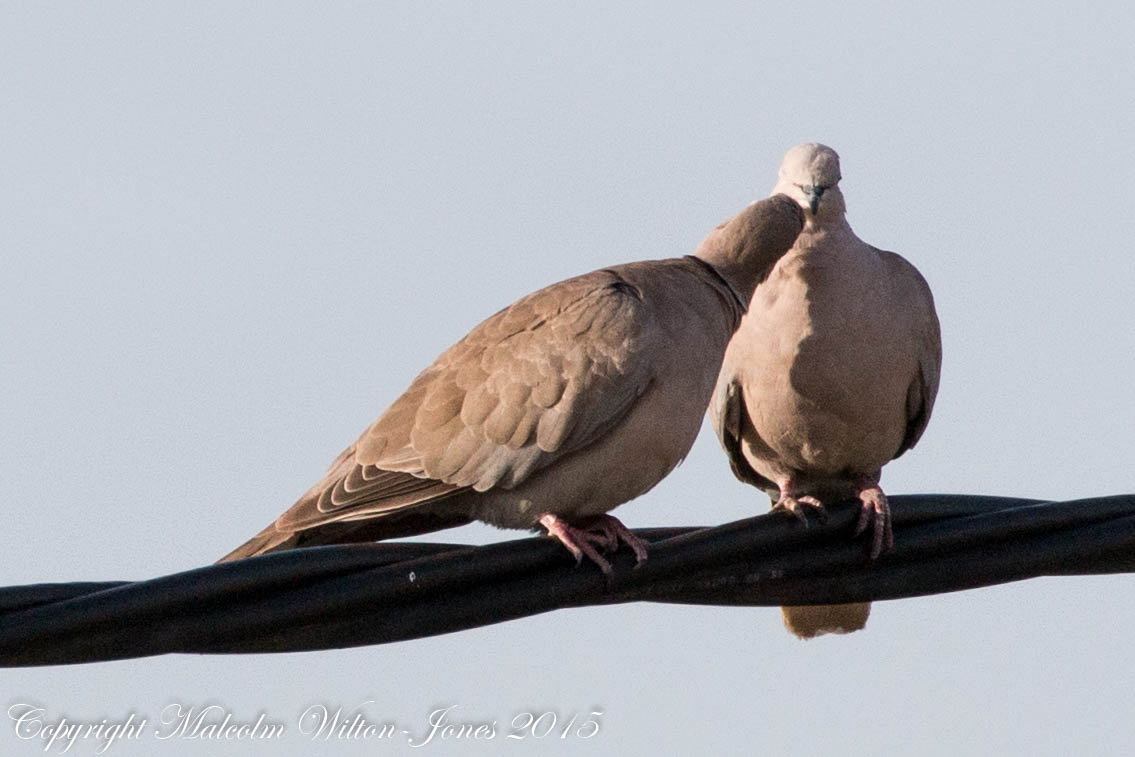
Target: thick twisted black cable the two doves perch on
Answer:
[[355, 595]]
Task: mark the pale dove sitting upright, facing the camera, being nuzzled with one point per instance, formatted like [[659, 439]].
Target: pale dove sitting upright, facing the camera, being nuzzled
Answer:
[[833, 373]]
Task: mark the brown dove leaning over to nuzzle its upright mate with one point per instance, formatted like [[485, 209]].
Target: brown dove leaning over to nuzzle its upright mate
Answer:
[[556, 410]]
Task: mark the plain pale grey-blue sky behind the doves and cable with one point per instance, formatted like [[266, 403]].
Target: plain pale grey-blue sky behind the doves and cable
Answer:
[[231, 235]]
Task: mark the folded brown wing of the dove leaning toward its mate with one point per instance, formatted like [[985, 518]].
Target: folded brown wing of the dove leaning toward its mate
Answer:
[[537, 381]]
